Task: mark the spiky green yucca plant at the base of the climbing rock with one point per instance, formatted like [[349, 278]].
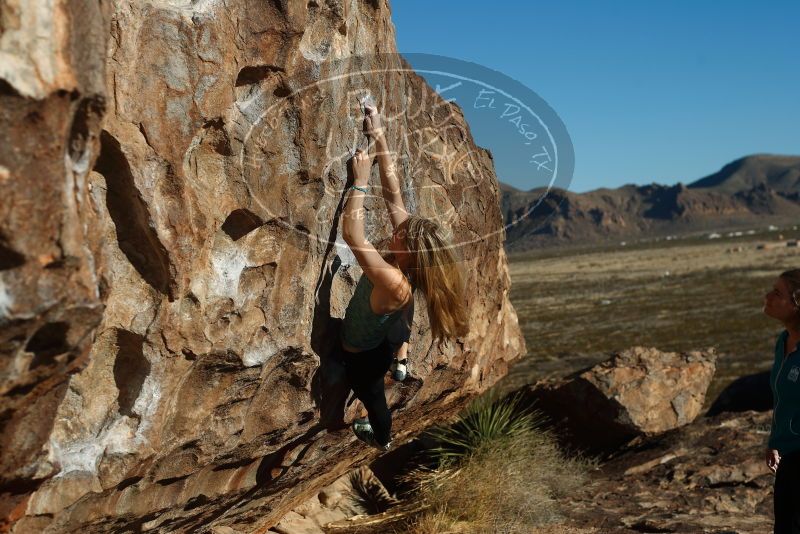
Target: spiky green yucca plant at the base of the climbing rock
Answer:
[[485, 421]]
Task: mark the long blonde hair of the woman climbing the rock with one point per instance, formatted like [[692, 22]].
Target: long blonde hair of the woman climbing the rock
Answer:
[[436, 271]]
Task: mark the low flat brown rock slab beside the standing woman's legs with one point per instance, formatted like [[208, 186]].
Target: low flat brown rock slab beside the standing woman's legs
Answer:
[[705, 477]]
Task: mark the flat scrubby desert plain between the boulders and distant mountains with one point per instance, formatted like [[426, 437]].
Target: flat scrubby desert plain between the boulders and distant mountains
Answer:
[[576, 306]]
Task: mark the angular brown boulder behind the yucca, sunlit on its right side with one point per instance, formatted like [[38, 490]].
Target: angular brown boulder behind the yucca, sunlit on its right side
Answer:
[[639, 391]]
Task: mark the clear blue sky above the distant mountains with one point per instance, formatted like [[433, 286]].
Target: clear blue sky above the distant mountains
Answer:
[[649, 91]]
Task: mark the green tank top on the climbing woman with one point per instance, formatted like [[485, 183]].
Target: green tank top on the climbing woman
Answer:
[[362, 328]]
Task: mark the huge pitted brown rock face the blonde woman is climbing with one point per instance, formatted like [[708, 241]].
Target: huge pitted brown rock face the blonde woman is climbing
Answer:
[[172, 275]]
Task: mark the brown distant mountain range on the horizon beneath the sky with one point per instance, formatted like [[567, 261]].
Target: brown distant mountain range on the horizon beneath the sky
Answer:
[[751, 191]]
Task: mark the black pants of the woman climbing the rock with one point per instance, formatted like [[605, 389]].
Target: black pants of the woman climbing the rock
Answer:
[[365, 372]]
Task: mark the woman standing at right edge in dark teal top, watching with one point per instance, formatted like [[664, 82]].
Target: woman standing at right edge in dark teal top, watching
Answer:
[[783, 447]]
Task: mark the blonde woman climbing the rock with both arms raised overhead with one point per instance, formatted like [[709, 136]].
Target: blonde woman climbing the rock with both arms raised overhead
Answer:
[[420, 258]]
